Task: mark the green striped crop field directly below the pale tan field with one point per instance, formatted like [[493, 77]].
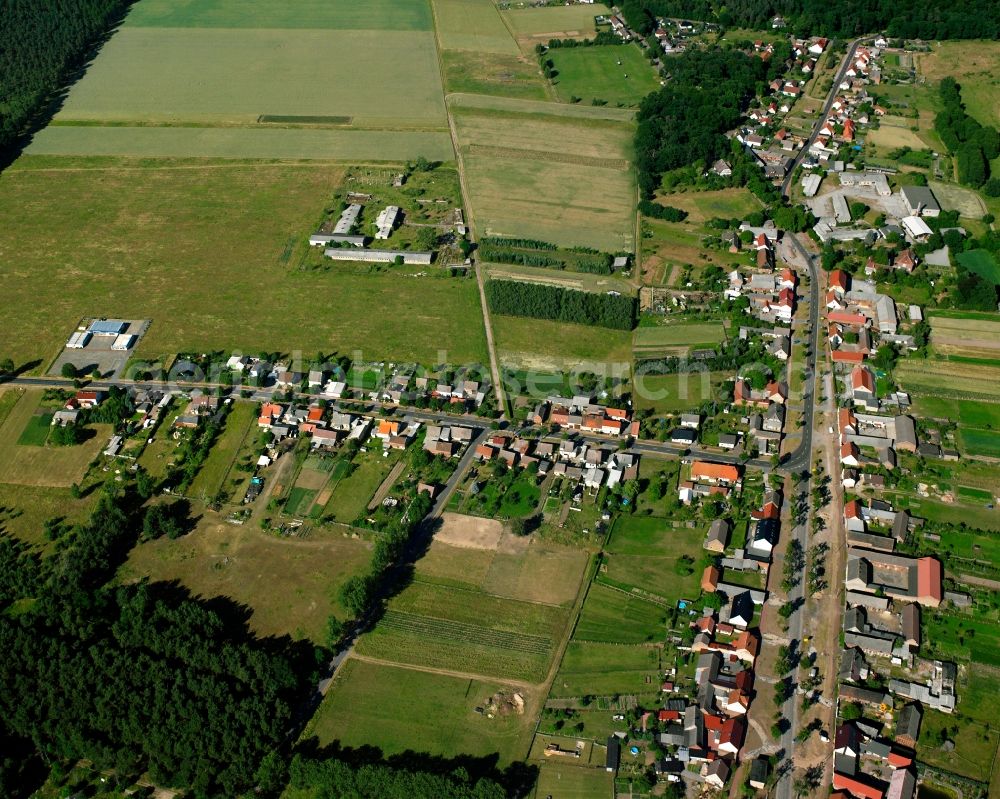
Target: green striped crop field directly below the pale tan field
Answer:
[[471, 632]]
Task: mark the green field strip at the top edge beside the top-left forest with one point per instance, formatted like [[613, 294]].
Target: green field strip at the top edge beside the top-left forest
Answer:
[[331, 14]]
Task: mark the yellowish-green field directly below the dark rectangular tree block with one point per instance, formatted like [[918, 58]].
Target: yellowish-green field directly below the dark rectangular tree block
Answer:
[[544, 344]]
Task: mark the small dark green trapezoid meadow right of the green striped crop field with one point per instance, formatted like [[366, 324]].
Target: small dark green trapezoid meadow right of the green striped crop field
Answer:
[[610, 616]]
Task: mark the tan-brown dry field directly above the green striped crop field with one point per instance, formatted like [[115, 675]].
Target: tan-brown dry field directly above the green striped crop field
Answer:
[[543, 572]]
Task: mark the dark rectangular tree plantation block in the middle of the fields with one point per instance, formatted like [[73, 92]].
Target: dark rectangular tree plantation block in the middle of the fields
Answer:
[[515, 298]]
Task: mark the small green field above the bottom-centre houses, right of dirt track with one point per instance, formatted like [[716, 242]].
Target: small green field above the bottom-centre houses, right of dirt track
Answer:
[[606, 669]]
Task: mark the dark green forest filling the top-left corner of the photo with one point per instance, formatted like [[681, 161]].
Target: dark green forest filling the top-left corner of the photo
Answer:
[[41, 43]]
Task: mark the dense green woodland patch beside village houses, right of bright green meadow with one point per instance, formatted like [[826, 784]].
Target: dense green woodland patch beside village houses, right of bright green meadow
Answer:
[[683, 123]]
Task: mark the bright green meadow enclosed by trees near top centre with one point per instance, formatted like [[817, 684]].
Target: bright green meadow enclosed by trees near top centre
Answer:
[[617, 74]]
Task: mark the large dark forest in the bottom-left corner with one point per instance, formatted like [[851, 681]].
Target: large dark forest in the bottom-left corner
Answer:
[[139, 677]]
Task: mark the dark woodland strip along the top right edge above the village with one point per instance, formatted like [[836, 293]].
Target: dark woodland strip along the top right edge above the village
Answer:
[[910, 19]]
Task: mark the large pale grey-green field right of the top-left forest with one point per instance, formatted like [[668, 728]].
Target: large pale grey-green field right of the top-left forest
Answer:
[[147, 74]]
